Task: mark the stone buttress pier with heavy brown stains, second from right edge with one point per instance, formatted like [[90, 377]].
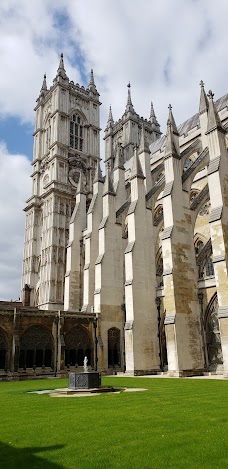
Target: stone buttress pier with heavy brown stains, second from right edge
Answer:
[[182, 322]]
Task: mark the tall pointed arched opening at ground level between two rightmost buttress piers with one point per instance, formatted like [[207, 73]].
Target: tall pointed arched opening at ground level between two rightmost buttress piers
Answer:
[[212, 331]]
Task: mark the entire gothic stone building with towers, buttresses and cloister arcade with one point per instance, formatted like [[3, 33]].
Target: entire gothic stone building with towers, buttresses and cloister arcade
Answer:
[[129, 269]]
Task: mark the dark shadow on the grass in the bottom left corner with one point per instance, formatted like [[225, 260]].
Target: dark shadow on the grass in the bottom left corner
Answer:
[[15, 458]]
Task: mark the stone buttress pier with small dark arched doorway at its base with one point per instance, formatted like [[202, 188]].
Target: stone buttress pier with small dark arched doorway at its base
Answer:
[[109, 292]]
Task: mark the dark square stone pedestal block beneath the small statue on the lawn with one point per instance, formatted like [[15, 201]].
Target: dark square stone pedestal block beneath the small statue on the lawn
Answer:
[[85, 380]]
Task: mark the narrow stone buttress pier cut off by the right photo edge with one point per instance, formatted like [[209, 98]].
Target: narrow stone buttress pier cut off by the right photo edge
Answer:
[[218, 188]]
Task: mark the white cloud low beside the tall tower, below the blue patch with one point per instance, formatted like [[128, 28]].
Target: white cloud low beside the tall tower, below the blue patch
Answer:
[[15, 188]]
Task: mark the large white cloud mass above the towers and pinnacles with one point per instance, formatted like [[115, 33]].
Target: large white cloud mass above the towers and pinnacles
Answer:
[[163, 48]]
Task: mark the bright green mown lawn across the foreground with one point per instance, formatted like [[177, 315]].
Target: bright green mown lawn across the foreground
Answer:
[[176, 423]]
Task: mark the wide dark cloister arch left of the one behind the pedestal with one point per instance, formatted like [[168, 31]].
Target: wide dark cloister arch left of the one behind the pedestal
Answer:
[[36, 348]]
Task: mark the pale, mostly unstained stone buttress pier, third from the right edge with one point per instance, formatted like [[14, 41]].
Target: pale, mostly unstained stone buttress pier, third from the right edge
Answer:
[[141, 341]]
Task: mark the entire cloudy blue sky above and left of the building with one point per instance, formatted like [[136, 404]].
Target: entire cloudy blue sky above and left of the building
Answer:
[[164, 48]]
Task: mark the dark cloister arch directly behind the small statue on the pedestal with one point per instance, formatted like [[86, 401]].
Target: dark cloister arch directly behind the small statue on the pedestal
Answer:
[[77, 347]]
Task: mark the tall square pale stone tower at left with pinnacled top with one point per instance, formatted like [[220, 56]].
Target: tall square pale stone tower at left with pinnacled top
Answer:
[[66, 149]]
